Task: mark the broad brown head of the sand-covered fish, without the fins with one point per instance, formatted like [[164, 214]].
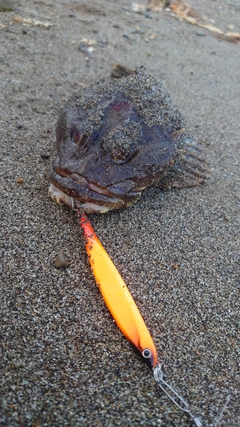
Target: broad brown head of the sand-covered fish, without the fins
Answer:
[[107, 153]]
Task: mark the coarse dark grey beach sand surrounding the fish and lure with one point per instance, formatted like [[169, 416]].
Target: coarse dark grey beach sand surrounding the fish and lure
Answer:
[[64, 362]]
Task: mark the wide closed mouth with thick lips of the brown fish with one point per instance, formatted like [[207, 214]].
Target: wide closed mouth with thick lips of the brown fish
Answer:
[[75, 191]]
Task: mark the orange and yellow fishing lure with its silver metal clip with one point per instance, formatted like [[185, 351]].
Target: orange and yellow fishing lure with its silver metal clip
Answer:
[[124, 310]]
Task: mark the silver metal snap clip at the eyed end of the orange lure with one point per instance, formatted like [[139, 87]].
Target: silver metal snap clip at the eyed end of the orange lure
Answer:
[[173, 395]]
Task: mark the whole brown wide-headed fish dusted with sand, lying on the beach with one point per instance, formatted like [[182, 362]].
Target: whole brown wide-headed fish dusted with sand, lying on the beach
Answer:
[[115, 139]]
